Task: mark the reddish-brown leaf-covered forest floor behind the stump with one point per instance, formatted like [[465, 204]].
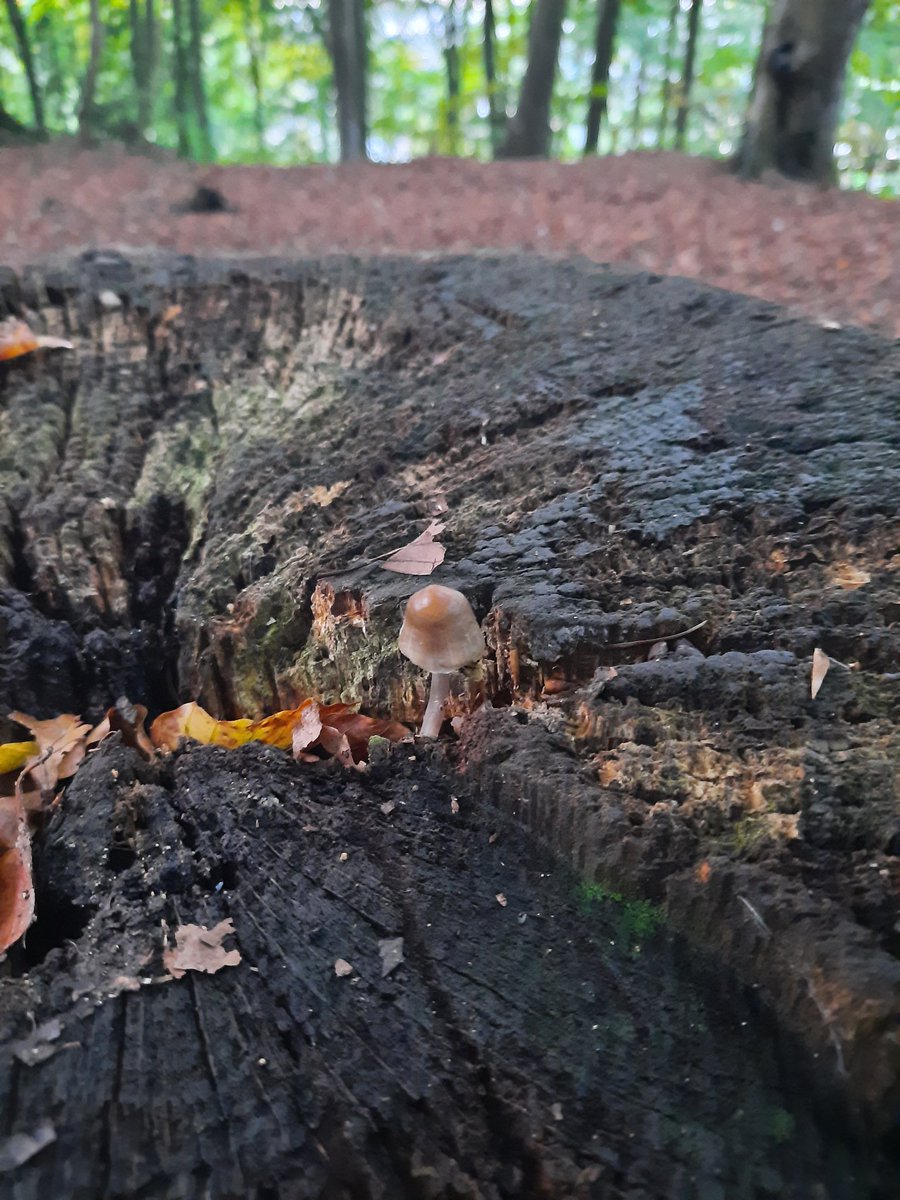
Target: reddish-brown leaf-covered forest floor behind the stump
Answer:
[[829, 255]]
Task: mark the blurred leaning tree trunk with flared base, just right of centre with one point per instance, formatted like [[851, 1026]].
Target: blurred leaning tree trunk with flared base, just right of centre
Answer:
[[529, 135]]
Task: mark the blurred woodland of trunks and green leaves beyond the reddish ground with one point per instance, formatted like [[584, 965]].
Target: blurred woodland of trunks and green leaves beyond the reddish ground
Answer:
[[291, 82]]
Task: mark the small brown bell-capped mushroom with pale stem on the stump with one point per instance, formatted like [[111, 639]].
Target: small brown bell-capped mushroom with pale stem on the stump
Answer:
[[442, 635]]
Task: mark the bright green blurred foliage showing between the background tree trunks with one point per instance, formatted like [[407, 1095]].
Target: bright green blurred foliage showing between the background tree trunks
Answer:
[[269, 91]]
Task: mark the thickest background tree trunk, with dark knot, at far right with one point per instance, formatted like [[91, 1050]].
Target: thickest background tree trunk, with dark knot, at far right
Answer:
[[800, 85]]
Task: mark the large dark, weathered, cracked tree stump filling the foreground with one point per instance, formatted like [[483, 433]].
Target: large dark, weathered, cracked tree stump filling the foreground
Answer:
[[647, 902]]
